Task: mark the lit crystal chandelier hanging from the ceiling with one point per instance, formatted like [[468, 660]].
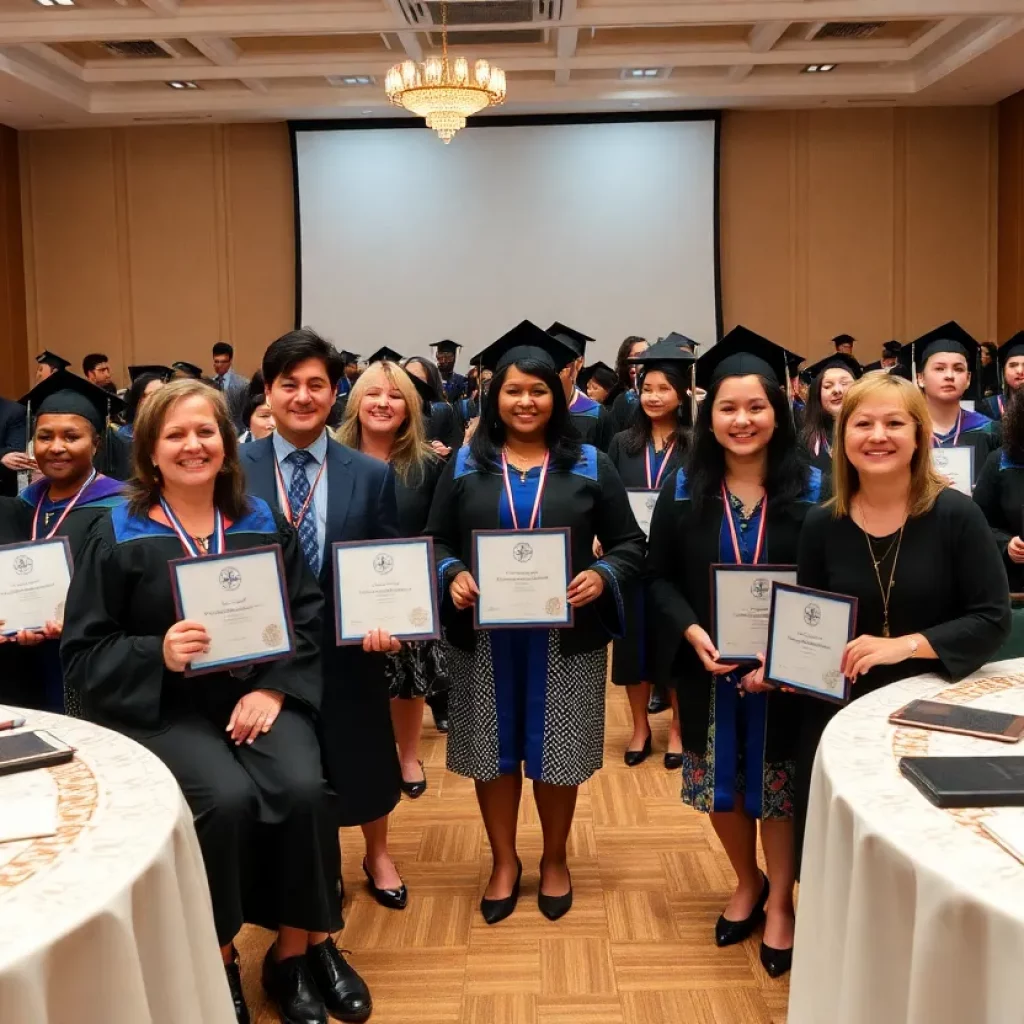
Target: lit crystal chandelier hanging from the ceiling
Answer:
[[444, 92]]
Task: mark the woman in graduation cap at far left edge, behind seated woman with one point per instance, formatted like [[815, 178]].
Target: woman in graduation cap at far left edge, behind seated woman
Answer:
[[70, 416]]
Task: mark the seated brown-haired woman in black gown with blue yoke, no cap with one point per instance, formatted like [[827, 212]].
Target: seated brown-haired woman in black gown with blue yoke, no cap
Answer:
[[242, 745]]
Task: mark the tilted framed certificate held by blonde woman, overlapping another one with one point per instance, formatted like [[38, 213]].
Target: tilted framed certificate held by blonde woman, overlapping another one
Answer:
[[807, 634]]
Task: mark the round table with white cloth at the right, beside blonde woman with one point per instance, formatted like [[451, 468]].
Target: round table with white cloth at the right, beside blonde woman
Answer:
[[908, 914]]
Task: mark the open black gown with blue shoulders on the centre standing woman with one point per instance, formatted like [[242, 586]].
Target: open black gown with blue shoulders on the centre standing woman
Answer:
[[590, 500]]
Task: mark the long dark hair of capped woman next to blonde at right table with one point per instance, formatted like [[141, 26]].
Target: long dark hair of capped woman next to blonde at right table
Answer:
[[786, 479]]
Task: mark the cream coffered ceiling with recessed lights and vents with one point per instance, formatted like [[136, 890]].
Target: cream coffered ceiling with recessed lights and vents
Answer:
[[112, 62]]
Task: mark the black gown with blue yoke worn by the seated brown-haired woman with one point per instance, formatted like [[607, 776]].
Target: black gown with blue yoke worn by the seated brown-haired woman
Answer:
[[120, 607]]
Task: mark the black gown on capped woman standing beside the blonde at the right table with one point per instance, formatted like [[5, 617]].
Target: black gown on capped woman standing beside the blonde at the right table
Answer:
[[682, 547]]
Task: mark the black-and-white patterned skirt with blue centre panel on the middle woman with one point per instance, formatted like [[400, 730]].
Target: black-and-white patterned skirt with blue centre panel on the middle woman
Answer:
[[518, 704]]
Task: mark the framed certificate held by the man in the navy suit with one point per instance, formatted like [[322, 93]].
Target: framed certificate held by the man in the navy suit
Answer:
[[388, 585]]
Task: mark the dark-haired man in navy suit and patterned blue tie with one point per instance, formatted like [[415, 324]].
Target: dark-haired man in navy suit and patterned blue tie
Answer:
[[331, 493]]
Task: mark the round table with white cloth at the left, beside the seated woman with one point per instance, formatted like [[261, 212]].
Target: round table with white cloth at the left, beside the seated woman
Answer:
[[110, 921]]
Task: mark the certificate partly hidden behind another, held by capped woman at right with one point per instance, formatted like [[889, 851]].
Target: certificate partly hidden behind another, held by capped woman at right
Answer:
[[741, 600]]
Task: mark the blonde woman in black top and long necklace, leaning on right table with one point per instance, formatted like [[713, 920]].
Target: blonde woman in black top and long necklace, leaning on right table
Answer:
[[919, 557]]
